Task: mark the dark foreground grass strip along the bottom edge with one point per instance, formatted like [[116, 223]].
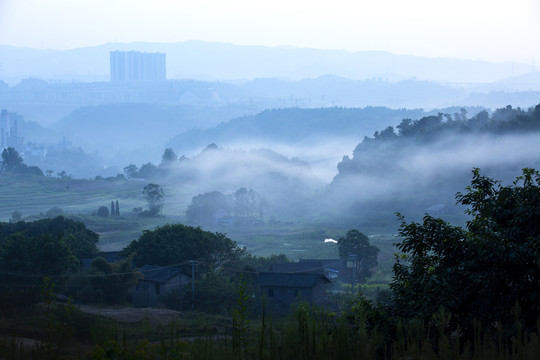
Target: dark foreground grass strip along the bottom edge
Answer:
[[306, 333]]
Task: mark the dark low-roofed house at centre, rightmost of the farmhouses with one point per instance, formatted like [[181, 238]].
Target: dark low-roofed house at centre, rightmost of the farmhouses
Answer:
[[282, 290]]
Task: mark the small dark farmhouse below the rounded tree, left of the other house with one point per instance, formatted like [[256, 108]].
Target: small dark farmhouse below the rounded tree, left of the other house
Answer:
[[157, 281]]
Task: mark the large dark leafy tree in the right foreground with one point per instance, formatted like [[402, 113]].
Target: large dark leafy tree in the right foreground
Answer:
[[479, 273]]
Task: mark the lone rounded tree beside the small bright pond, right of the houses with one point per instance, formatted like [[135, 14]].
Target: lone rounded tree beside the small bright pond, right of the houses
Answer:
[[355, 247]]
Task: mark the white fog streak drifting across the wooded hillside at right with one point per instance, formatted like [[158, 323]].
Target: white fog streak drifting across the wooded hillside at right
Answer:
[[424, 168]]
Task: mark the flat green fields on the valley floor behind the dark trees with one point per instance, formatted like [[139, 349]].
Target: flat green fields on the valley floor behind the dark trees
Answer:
[[80, 199]]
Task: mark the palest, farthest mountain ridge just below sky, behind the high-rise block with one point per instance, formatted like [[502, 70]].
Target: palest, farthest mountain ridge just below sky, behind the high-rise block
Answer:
[[223, 61]]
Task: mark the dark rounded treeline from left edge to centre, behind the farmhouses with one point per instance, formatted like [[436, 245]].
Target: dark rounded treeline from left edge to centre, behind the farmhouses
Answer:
[[65, 252]]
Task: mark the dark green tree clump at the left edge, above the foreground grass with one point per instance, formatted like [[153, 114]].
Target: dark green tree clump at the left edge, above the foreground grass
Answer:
[[30, 251]]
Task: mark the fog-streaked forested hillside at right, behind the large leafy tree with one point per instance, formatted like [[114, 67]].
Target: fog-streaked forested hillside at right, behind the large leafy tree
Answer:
[[419, 165]]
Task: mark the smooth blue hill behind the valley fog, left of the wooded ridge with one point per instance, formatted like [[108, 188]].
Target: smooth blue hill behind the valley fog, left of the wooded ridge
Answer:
[[297, 126]]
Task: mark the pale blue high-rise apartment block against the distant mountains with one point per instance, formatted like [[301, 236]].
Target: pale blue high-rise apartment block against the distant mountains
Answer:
[[137, 66]]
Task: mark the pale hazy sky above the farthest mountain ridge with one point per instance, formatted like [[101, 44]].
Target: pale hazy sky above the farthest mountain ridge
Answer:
[[497, 30]]
